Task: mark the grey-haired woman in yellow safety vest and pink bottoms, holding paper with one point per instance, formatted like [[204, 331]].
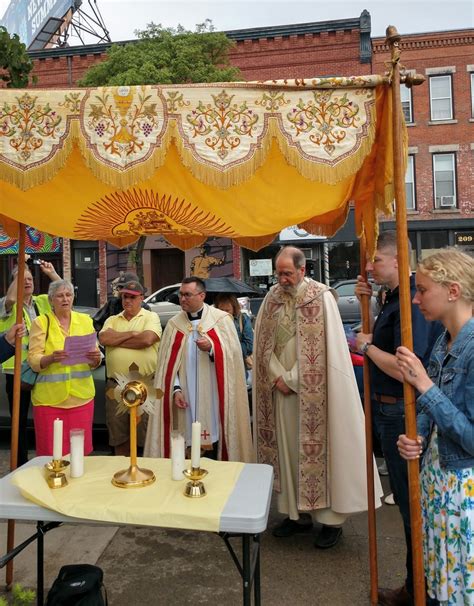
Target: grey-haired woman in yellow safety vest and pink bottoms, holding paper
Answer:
[[64, 388]]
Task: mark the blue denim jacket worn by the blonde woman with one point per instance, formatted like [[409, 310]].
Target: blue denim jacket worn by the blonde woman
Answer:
[[449, 403]]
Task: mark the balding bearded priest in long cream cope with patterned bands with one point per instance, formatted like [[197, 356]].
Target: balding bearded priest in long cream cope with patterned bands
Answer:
[[308, 418]]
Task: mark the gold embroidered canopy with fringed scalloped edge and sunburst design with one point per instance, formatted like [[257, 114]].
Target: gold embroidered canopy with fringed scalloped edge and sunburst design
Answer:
[[240, 160]]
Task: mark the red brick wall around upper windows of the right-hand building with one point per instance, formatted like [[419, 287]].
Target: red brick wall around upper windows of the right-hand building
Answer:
[[423, 52]]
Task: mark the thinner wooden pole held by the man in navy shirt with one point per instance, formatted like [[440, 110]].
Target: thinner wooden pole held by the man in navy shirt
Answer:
[[373, 564]]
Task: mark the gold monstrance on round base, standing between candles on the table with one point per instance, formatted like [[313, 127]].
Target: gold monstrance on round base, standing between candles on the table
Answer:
[[133, 394]]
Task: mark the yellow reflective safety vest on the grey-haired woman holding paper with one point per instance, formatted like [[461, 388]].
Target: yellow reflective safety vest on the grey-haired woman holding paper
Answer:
[[57, 382]]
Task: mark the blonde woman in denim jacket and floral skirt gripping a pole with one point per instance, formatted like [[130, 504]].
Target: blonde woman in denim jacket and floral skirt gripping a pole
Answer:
[[445, 421]]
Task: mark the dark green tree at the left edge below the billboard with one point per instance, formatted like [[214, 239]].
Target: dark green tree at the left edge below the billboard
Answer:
[[15, 65]]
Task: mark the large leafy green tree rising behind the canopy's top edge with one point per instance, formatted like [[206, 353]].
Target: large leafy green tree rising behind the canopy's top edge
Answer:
[[165, 56]]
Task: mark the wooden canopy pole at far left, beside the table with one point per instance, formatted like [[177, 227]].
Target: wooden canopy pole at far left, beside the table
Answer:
[[16, 390]]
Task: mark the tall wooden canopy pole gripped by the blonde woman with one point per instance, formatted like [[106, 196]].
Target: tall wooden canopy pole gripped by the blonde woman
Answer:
[[393, 39]]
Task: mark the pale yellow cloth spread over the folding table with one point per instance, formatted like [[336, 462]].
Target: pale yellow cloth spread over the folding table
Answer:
[[161, 504]]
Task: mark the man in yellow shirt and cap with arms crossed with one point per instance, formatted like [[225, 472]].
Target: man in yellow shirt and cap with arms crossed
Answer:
[[130, 337]]
